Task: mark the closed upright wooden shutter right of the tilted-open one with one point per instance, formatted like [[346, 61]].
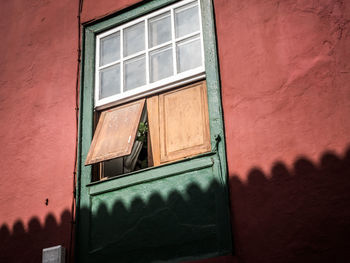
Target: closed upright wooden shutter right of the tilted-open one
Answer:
[[179, 123]]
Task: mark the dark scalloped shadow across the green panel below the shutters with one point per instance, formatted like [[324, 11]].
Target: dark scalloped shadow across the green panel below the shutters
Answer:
[[186, 224]]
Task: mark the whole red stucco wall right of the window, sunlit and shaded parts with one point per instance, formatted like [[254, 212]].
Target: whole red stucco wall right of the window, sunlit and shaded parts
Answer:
[[285, 71]]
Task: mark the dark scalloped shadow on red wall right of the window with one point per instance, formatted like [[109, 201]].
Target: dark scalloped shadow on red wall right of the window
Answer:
[[297, 214]]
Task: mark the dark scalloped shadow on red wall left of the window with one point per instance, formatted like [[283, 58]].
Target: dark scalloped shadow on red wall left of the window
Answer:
[[24, 243]]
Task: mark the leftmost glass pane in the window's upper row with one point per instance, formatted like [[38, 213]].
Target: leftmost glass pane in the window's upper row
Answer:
[[110, 49]]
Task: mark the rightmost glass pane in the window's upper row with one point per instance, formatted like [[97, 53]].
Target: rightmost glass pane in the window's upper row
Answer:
[[186, 20]]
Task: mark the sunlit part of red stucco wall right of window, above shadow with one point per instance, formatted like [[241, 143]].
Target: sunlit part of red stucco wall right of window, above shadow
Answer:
[[285, 80]]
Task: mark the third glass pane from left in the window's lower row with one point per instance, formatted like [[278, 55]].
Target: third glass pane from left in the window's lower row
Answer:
[[161, 63]]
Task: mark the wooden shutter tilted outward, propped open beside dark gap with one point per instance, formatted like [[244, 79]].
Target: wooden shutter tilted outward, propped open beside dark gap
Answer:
[[115, 132]]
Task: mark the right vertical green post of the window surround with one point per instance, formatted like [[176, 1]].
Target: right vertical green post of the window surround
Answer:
[[215, 112]]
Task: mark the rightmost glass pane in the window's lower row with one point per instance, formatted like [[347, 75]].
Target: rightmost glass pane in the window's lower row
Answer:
[[189, 54]]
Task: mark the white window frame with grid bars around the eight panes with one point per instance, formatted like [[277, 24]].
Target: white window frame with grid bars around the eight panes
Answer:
[[175, 80]]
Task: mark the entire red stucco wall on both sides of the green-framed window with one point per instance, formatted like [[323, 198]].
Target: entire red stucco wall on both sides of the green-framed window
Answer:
[[285, 74]]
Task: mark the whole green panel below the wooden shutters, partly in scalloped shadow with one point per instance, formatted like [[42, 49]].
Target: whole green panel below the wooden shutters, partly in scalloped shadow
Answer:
[[158, 220]]
